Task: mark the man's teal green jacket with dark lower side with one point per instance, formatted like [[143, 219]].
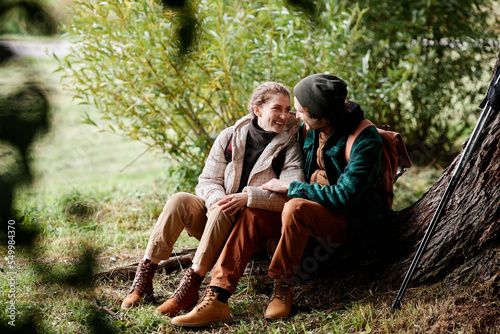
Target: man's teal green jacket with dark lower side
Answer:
[[354, 189]]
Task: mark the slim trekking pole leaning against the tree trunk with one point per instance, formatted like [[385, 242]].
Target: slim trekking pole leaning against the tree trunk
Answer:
[[469, 148]]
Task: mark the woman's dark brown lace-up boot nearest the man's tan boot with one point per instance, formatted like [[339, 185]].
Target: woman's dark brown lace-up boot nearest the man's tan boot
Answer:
[[185, 296]]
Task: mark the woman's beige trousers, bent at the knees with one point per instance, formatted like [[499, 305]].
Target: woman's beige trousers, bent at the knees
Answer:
[[187, 211]]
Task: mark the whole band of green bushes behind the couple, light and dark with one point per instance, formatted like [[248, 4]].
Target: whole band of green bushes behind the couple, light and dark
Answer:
[[413, 67]]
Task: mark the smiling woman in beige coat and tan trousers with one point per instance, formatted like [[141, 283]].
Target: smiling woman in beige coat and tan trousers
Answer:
[[261, 147]]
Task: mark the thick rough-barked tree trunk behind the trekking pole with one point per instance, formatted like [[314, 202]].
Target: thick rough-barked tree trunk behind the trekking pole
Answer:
[[465, 242]]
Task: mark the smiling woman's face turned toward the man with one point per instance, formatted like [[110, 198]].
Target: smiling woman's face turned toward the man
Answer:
[[274, 114]]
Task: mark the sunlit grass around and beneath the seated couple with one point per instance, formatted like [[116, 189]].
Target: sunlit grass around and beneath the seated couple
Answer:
[[84, 196]]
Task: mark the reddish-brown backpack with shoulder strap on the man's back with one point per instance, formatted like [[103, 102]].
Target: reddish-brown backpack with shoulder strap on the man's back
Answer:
[[395, 158]]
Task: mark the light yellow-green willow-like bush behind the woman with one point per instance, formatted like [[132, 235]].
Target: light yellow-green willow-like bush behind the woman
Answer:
[[126, 63]]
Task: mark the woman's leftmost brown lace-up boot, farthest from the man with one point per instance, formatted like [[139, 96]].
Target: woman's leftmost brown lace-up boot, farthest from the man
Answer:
[[142, 287]]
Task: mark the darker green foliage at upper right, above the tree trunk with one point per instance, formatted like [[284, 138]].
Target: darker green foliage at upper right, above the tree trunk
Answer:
[[427, 69]]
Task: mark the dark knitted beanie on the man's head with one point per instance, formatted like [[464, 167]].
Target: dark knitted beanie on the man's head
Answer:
[[322, 94]]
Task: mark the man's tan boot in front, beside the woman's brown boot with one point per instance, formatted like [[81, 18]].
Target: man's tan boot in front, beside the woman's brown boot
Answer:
[[208, 311]]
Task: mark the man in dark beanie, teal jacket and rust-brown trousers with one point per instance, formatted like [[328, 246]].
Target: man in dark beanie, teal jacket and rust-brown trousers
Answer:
[[340, 199]]
